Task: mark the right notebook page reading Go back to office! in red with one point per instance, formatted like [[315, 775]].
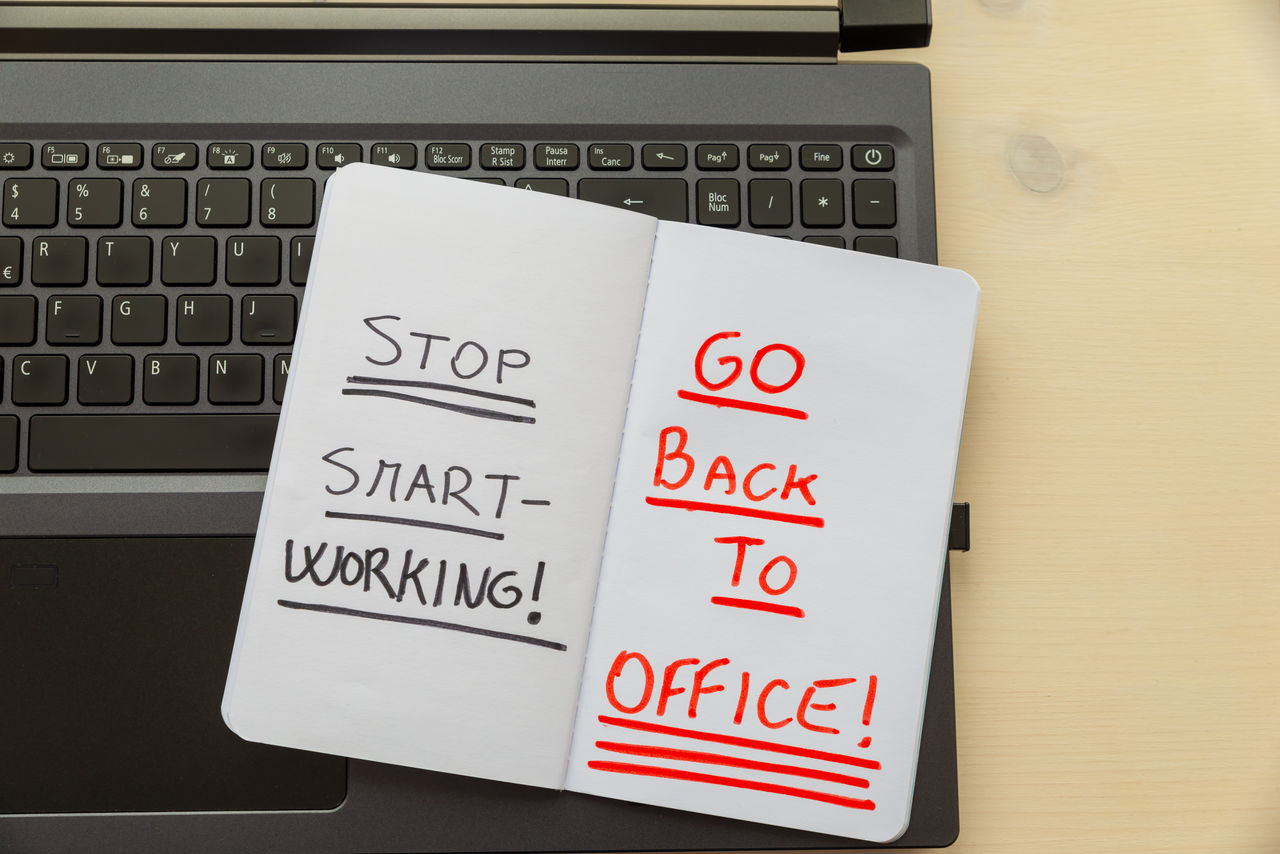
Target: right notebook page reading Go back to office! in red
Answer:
[[886, 349]]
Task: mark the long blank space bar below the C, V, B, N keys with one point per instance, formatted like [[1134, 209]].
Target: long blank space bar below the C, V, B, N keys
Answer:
[[152, 442]]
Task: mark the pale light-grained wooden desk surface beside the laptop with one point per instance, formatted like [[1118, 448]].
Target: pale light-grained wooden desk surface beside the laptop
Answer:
[[1110, 173]]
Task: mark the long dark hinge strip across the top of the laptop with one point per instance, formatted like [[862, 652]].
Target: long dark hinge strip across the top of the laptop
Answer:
[[720, 30]]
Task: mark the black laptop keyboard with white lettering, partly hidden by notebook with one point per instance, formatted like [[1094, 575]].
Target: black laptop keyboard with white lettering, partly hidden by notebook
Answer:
[[150, 289]]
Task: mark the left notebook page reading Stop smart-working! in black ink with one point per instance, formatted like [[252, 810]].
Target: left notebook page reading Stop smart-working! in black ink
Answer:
[[550, 281]]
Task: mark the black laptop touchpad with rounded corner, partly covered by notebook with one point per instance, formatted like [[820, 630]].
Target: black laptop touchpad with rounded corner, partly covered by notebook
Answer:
[[116, 654]]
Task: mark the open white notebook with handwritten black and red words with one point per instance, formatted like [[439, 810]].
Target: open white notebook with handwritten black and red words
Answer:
[[572, 497]]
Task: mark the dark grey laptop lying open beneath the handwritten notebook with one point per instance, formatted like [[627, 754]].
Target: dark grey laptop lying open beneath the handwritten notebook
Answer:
[[162, 171]]
